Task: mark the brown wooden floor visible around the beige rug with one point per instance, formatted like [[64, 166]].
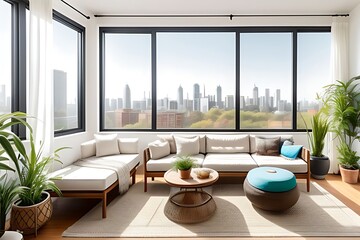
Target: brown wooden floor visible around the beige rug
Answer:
[[67, 211]]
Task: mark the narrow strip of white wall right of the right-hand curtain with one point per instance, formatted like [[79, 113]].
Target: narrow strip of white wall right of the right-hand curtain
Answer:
[[354, 49]]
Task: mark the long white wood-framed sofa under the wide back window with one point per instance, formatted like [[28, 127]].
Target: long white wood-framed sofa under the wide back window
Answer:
[[230, 155]]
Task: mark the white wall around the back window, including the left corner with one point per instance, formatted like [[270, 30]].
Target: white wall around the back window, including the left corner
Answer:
[[92, 68]]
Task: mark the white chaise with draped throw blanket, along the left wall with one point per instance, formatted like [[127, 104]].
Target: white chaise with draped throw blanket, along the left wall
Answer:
[[106, 163]]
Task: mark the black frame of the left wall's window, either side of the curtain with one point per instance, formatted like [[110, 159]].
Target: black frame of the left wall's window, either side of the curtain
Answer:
[[19, 68]]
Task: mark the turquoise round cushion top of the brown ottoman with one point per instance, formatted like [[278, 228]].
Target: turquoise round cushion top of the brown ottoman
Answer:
[[271, 179]]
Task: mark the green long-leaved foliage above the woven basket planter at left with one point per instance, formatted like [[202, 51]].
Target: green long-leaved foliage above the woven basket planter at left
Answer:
[[31, 167]]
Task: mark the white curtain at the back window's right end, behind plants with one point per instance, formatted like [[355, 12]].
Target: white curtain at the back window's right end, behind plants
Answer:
[[339, 71]]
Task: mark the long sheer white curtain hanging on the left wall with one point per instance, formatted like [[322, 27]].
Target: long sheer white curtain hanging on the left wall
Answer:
[[40, 104]]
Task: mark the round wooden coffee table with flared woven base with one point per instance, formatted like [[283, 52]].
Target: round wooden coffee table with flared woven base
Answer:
[[191, 204]]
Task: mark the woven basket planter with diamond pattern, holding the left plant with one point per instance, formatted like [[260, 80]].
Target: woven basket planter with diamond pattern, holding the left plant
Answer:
[[28, 219]]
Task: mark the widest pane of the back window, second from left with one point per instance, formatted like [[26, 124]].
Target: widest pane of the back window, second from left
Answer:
[[195, 80]]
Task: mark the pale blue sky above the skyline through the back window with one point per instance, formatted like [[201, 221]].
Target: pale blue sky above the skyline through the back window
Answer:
[[209, 60]]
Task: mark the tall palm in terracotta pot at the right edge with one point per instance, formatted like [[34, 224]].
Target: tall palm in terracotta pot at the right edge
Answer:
[[342, 104]]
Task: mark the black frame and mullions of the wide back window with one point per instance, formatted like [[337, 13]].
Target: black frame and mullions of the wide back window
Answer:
[[238, 30]]
